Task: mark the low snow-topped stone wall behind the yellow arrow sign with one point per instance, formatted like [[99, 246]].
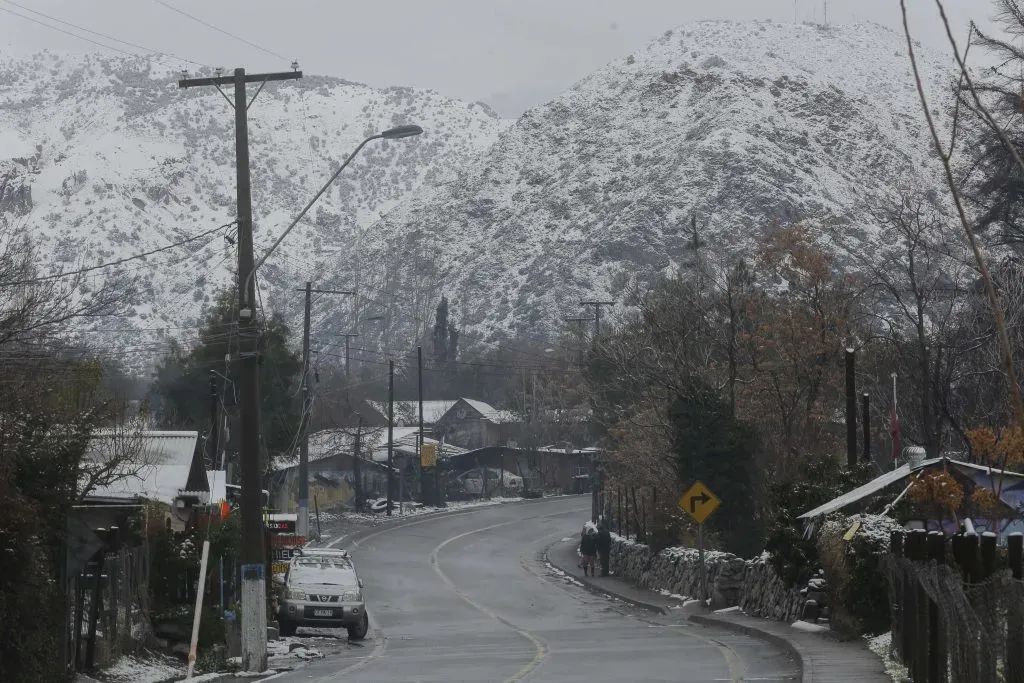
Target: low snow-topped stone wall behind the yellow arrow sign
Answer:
[[733, 581]]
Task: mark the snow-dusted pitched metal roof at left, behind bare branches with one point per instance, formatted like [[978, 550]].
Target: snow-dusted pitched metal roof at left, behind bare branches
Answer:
[[159, 473]]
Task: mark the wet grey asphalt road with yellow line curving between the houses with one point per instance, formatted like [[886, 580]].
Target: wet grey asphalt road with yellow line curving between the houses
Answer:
[[470, 599]]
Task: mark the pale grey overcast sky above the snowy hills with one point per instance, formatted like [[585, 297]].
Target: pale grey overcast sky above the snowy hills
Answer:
[[510, 54]]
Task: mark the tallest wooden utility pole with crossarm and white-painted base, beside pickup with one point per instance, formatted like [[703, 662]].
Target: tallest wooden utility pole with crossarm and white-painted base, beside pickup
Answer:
[[252, 556]]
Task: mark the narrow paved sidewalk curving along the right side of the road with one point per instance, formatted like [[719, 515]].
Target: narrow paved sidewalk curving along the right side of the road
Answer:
[[822, 657]]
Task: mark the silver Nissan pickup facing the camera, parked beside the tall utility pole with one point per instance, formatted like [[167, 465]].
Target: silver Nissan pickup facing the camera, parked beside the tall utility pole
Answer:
[[322, 590]]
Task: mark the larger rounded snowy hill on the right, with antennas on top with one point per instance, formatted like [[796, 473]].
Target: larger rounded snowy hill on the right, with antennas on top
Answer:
[[745, 124]]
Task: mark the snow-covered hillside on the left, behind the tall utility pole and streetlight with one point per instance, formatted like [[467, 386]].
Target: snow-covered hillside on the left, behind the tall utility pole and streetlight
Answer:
[[103, 157]]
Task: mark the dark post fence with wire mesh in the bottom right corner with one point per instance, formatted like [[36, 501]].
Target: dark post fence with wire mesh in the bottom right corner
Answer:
[[957, 608]]
